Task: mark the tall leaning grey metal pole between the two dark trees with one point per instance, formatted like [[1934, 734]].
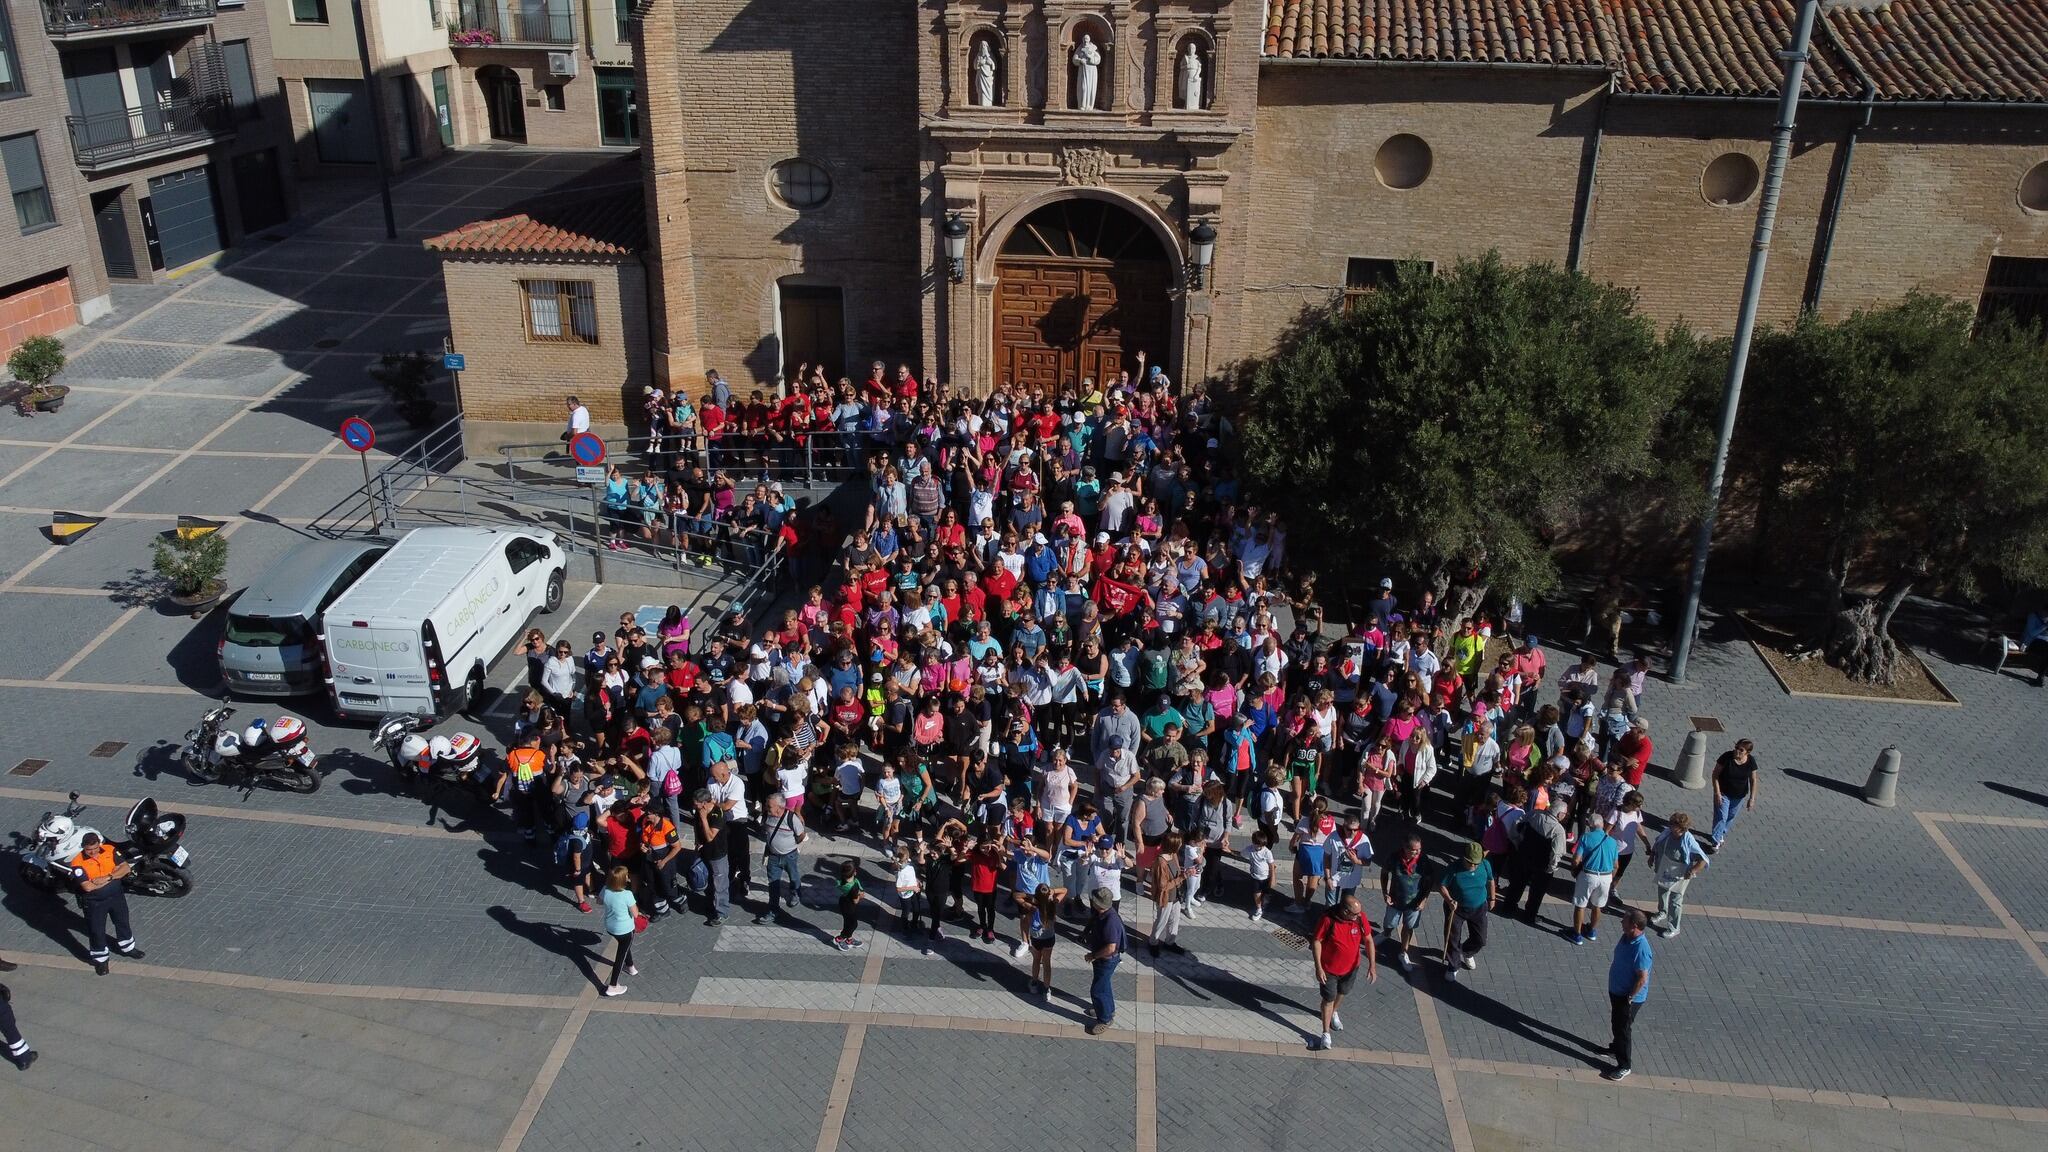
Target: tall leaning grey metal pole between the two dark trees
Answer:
[[1746, 323]]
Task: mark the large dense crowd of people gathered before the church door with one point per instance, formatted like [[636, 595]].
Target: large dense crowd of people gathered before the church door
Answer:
[[1064, 657]]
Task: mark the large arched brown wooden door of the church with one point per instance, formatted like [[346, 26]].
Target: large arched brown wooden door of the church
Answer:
[[1082, 288]]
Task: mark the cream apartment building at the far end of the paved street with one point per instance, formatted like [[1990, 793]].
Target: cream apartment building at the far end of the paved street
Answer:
[[452, 73]]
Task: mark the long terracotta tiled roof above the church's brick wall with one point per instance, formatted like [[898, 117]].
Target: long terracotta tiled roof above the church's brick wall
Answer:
[[1912, 50]]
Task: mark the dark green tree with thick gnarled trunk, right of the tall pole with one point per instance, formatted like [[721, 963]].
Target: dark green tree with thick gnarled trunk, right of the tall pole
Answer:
[[1902, 446]]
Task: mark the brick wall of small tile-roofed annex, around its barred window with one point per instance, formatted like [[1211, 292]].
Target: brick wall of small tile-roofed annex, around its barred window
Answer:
[[527, 380]]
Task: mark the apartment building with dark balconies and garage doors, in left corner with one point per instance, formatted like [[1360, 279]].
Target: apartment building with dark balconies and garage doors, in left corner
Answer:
[[136, 138]]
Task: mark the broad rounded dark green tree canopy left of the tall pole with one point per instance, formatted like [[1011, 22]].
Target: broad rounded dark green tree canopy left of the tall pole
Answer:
[[1451, 423]]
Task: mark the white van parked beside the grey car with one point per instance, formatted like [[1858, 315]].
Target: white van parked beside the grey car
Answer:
[[421, 630]]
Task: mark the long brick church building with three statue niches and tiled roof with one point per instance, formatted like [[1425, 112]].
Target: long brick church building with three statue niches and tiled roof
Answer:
[[1185, 177]]
